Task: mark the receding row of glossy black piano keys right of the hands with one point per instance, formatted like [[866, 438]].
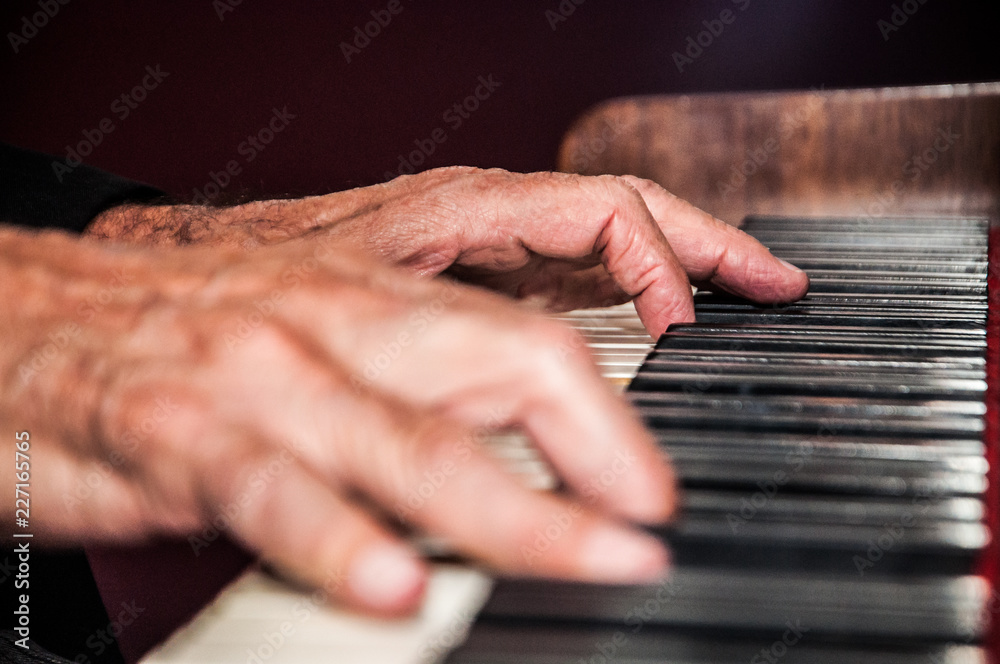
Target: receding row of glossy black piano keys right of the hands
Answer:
[[834, 470]]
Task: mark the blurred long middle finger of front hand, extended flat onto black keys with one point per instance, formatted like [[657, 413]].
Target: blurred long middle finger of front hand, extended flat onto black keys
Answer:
[[431, 473]]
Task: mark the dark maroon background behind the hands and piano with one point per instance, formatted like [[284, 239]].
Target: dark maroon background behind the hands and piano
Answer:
[[354, 119]]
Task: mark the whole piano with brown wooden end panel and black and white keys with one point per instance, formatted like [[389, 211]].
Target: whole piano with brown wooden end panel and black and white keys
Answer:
[[839, 456]]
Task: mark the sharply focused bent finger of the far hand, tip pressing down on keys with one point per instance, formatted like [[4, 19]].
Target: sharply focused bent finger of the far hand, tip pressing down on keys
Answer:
[[569, 217]]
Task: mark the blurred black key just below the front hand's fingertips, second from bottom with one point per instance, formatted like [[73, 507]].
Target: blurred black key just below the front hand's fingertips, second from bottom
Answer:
[[928, 607]]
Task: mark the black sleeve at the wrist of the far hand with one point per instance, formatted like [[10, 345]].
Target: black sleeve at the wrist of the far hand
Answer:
[[45, 192]]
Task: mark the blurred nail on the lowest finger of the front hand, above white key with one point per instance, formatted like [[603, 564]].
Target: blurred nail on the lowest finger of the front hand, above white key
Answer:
[[387, 577]]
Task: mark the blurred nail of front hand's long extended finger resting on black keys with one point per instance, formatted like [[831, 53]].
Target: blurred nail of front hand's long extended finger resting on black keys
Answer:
[[617, 555]]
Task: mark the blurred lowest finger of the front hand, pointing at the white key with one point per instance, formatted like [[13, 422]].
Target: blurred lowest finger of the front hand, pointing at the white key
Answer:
[[303, 526]]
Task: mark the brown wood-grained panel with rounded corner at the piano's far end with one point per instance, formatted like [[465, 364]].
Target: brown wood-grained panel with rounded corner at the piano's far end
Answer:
[[885, 152]]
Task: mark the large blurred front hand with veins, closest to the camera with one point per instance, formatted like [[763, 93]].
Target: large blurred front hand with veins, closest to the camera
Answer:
[[297, 396]]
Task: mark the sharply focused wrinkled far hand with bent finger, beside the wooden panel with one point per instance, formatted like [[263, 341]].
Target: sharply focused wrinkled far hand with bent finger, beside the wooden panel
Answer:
[[561, 241]]
